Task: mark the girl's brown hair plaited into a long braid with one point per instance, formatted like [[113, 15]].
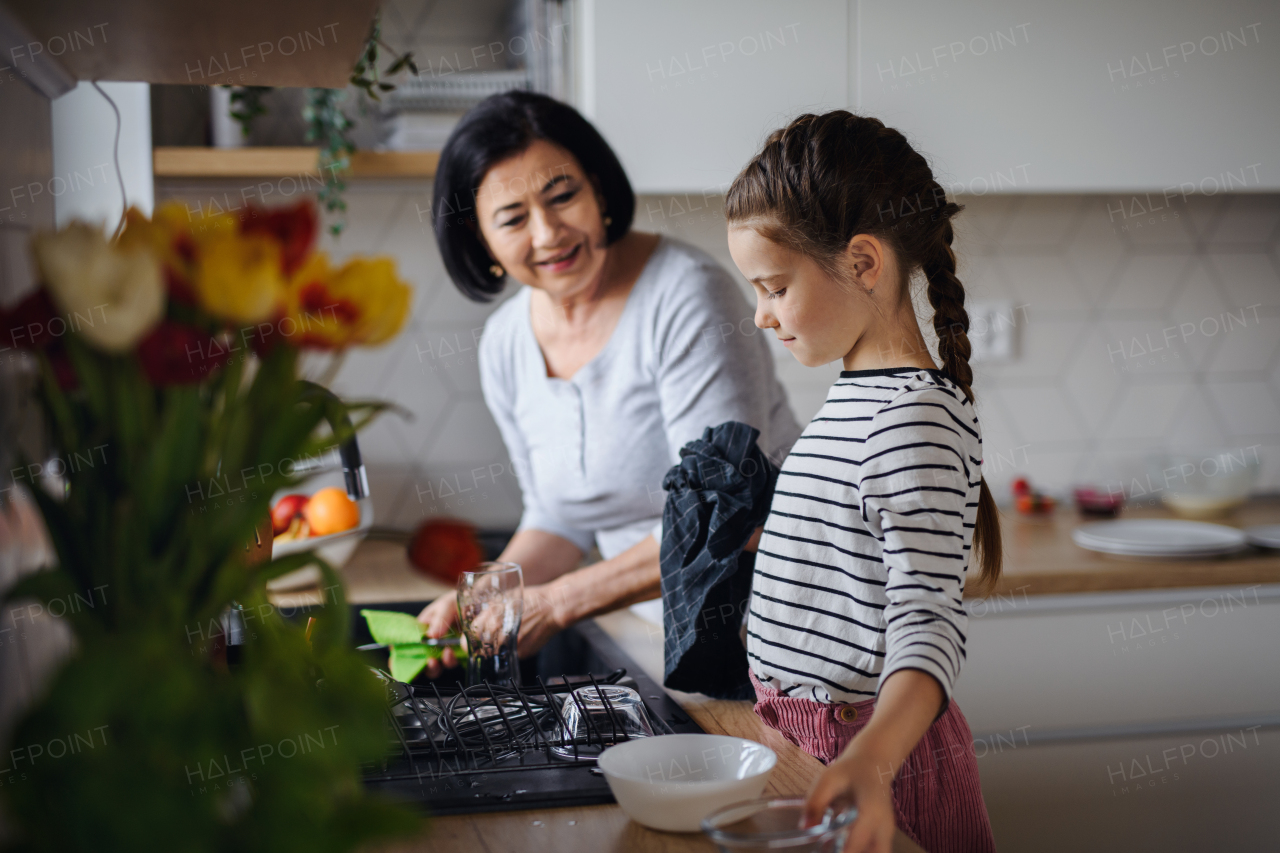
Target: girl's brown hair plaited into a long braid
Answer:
[[826, 179]]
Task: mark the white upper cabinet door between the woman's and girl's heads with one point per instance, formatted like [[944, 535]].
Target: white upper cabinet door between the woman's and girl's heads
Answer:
[[687, 93]]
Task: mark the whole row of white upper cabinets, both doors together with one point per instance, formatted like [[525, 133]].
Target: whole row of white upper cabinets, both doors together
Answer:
[[1162, 97]]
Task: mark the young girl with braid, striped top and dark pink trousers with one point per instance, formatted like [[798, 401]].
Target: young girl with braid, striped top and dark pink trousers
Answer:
[[857, 630]]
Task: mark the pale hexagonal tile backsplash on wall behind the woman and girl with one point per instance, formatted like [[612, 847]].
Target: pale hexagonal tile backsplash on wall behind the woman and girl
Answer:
[[1136, 334]]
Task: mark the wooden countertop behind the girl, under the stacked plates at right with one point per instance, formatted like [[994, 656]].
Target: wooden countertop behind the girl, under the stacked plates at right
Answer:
[[1041, 558]]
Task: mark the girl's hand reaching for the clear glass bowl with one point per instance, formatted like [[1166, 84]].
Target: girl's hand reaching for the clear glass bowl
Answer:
[[854, 779]]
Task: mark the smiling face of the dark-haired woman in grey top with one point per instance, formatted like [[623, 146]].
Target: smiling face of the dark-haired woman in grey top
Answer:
[[542, 220]]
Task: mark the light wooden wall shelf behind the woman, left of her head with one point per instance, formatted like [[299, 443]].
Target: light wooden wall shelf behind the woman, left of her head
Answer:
[[280, 162]]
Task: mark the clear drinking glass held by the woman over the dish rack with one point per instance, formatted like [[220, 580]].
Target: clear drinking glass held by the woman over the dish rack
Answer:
[[491, 604]]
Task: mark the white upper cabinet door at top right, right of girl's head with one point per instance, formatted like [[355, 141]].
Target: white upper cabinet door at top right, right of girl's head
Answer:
[[1086, 97]]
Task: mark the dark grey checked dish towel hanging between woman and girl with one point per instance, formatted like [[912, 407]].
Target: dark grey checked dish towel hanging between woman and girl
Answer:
[[716, 498]]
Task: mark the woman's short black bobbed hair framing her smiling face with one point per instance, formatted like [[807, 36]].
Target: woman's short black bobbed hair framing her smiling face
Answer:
[[500, 127]]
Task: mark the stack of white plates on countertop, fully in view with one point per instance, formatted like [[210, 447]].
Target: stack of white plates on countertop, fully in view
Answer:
[[1160, 539]]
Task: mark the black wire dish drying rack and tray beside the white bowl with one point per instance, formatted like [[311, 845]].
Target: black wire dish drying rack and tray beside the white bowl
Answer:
[[488, 749]]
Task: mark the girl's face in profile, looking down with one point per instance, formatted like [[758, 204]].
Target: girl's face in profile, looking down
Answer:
[[816, 317]]
